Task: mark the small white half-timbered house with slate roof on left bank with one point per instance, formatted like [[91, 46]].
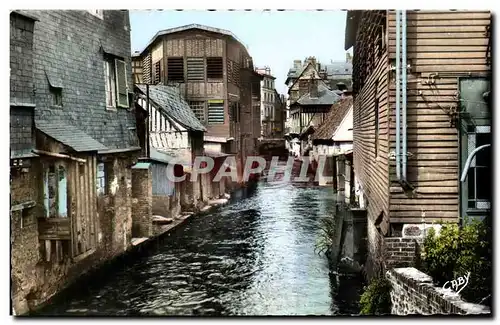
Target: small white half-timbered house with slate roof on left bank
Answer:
[[169, 133]]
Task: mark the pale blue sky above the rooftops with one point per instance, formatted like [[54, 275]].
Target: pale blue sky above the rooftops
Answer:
[[273, 38]]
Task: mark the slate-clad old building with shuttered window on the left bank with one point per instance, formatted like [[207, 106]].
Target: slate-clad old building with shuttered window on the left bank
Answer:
[[73, 141]]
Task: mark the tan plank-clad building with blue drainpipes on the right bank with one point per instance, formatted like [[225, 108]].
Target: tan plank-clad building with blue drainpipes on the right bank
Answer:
[[419, 81]]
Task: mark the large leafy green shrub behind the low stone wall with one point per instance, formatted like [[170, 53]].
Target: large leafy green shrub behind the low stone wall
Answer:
[[457, 251]]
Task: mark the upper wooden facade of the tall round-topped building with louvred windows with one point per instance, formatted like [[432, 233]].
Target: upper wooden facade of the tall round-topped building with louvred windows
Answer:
[[207, 66]]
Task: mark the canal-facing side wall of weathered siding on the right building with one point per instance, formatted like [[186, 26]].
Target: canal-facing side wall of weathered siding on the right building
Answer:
[[371, 167]]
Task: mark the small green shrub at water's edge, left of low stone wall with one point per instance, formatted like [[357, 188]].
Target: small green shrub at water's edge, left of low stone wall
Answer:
[[376, 298]]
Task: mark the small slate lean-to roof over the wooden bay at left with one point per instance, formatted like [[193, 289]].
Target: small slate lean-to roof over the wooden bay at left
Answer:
[[70, 136]]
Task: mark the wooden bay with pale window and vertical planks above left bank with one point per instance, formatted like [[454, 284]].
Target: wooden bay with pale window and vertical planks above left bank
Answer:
[[70, 224]]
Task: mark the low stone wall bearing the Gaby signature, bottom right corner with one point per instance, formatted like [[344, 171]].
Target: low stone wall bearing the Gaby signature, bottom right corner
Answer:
[[414, 293]]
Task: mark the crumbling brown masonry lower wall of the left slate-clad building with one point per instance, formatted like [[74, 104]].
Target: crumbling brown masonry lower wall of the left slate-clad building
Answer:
[[35, 280]]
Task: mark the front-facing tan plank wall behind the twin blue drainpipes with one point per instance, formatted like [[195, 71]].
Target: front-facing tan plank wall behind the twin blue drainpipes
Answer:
[[450, 43]]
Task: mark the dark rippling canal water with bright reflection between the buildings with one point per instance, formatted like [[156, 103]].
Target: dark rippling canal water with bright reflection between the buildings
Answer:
[[254, 256]]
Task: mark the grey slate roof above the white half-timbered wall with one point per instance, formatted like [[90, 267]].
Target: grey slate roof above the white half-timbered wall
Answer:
[[169, 100]]
